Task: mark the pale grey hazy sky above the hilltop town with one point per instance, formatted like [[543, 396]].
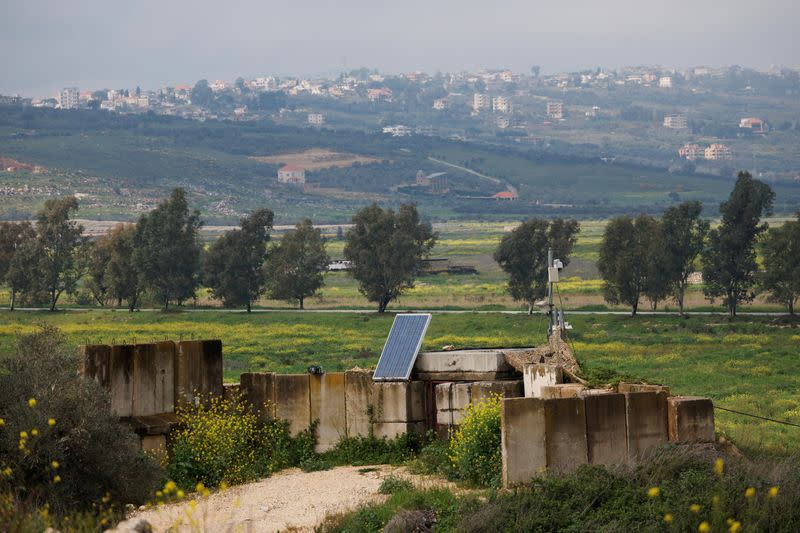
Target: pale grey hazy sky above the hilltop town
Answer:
[[48, 44]]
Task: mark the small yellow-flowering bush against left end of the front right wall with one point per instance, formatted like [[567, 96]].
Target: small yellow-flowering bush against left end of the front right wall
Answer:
[[475, 447]]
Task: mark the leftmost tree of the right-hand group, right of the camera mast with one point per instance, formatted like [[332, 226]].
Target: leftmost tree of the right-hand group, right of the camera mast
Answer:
[[625, 258]]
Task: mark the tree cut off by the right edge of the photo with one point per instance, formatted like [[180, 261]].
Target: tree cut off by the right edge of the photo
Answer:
[[781, 251]]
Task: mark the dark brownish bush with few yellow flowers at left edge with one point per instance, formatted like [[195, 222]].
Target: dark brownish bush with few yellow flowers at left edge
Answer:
[[60, 443]]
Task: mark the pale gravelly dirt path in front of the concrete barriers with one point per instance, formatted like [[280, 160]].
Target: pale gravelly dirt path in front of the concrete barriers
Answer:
[[290, 499]]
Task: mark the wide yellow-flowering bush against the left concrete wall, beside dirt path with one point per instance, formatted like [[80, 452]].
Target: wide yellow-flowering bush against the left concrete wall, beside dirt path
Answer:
[[223, 441]]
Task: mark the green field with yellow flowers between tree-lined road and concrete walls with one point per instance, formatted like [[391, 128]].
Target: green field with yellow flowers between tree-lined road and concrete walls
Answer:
[[749, 364]]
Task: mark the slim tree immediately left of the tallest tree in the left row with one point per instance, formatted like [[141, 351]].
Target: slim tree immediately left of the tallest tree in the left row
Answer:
[[121, 275]]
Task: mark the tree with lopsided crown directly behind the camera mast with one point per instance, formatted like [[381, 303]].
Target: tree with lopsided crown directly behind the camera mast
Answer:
[[522, 254]]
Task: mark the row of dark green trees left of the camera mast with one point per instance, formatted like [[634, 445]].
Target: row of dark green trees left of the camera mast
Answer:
[[163, 257]]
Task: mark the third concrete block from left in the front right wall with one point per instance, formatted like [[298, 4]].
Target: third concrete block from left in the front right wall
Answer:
[[606, 432]]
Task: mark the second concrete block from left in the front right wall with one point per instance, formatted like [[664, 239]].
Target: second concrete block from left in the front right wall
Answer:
[[565, 433]]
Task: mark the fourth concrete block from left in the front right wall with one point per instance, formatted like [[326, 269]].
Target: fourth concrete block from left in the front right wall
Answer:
[[646, 420]]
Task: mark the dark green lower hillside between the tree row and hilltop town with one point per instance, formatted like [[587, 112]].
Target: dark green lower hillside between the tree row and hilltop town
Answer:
[[121, 165]]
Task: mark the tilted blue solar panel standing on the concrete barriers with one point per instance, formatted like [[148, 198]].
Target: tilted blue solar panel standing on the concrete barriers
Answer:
[[402, 346]]
